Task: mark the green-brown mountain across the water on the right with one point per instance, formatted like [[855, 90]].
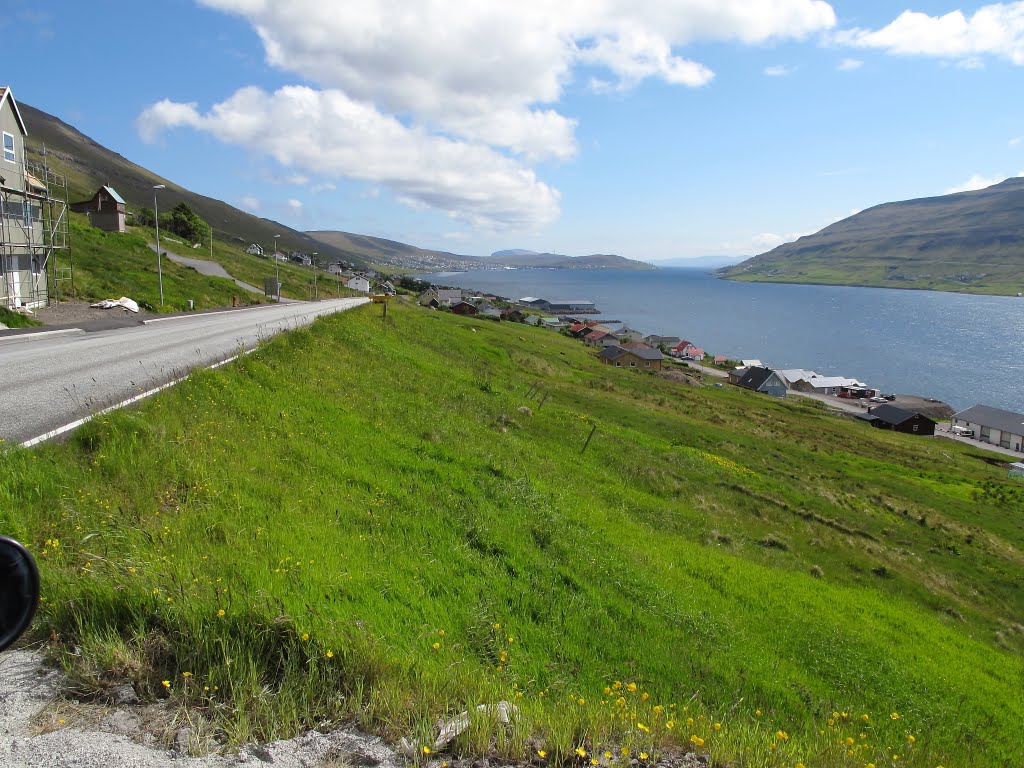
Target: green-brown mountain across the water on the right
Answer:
[[970, 242]]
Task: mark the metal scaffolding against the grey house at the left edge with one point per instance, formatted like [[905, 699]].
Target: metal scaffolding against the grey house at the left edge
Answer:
[[36, 265]]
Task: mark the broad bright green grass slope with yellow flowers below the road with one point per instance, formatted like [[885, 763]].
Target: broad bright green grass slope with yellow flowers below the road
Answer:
[[359, 522]]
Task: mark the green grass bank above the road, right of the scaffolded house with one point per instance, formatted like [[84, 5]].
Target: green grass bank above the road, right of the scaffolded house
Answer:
[[108, 266]]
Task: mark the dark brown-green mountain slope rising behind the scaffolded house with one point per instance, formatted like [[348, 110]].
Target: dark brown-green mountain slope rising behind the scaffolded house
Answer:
[[90, 164]]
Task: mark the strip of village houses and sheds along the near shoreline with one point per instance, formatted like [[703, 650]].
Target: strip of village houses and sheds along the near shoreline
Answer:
[[621, 347]]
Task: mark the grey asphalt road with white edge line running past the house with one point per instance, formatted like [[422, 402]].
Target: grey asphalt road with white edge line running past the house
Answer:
[[51, 379]]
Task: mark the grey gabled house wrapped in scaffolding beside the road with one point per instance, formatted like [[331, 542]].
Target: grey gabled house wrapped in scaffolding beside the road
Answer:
[[33, 219]]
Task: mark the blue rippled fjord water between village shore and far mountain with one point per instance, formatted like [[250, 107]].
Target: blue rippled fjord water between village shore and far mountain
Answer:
[[961, 350]]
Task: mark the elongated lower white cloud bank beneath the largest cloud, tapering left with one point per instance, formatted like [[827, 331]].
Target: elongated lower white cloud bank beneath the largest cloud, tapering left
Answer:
[[334, 137]]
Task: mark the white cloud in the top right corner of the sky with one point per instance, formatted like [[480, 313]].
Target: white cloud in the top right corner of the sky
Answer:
[[996, 30]]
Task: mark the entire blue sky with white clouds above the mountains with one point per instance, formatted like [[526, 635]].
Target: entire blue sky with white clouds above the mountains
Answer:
[[657, 131]]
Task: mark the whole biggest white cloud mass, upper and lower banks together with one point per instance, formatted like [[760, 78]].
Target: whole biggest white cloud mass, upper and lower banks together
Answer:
[[448, 104]]
